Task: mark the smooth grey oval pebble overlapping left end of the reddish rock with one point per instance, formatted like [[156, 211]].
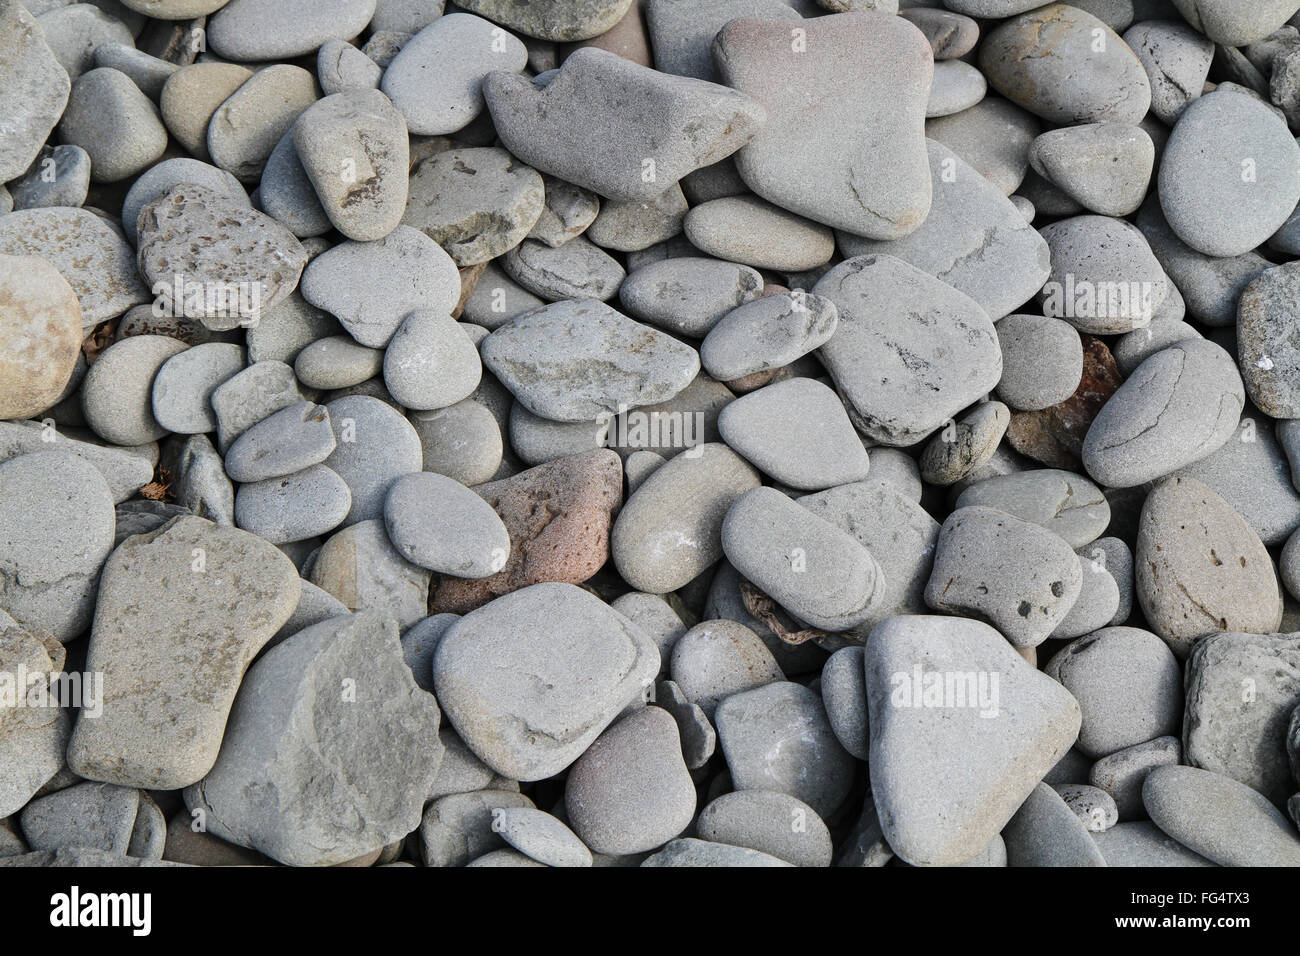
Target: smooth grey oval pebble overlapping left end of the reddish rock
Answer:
[[439, 524]]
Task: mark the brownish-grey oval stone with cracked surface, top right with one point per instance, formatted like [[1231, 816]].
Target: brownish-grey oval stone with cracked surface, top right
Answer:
[[1068, 67]]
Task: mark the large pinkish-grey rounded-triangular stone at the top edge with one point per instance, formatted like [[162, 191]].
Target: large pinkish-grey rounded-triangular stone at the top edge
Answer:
[[813, 162]]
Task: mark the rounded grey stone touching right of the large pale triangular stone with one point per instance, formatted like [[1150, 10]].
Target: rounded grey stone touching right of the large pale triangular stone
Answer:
[[1128, 685]]
